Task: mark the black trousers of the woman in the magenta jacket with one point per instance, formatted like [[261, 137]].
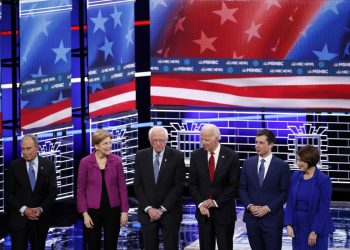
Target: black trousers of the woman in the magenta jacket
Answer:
[[109, 220]]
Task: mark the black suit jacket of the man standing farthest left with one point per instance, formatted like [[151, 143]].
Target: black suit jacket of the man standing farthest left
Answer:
[[19, 192]]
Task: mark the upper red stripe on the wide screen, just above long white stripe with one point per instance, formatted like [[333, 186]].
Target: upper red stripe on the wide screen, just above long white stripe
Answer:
[[334, 91]]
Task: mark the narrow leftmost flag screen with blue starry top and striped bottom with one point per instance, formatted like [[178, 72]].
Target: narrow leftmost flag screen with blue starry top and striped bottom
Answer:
[[45, 63]]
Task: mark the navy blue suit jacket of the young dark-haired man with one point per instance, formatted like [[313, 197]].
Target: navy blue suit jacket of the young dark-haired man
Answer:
[[273, 192]]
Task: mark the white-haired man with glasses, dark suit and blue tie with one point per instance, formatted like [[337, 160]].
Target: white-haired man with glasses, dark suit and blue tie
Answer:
[[158, 184]]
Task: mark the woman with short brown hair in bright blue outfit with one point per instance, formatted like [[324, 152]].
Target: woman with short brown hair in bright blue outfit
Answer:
[[307, 214]]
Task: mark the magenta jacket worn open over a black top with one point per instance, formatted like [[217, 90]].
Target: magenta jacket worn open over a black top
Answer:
[[89, 187]]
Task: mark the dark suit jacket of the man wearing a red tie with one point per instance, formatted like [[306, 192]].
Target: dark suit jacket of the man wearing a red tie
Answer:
[[224, 188]]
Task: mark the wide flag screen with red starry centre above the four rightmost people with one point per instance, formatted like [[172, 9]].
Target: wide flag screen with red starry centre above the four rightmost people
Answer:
[[266, 53]]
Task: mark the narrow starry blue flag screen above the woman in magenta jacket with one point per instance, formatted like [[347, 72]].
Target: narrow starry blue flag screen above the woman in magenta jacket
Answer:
[[111, 57]]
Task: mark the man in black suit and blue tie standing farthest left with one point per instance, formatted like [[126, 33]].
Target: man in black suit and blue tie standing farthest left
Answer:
[[30, 190]]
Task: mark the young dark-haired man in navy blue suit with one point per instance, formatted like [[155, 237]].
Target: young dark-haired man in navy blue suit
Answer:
[[263, 190]]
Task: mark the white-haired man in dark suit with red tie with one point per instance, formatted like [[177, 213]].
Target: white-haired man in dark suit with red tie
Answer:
[[213, 185]]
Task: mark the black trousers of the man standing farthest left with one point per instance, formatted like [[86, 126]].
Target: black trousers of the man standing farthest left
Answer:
[[34, 231]]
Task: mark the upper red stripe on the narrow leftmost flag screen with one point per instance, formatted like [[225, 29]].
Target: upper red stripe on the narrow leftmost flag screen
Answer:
[[31, 115]]
